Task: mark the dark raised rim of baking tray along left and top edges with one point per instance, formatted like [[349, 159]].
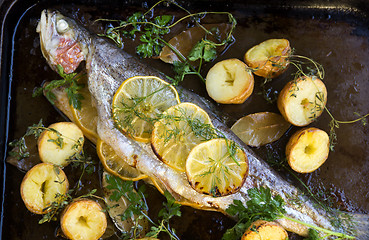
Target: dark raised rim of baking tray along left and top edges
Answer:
[[351, 9]]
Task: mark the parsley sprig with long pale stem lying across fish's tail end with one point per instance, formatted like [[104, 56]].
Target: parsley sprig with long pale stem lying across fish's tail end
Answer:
[[263, 205]]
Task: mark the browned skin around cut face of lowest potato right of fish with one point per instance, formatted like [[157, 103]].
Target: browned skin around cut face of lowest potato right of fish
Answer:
[[294, 139]]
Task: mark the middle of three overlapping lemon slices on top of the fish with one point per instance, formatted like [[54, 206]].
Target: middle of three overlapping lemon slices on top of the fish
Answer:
[[179, 130]]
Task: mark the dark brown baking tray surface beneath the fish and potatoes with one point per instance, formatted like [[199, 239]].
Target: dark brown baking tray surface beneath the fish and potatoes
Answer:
[[334, 33]]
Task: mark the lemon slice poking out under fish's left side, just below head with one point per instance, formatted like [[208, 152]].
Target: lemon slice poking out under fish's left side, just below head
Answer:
[[86, 117]]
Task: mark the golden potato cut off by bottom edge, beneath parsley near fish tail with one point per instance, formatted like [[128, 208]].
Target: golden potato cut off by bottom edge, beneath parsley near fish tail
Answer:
[[265, 230]]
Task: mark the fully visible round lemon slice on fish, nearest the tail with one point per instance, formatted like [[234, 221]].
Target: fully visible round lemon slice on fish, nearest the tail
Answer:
[[212, 170]]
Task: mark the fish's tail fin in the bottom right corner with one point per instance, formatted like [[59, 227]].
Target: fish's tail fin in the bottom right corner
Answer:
[[356, 224]]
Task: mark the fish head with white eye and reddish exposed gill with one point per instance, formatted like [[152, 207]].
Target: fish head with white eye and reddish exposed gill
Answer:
[[62, 41]]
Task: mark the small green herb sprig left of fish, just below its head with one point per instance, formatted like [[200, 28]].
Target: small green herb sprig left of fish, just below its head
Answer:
[[70, 81]]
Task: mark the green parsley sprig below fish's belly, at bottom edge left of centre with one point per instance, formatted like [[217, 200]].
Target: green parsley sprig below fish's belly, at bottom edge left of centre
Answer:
[[138, 207]]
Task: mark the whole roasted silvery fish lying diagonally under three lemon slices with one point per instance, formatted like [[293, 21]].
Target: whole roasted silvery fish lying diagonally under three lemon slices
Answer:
[[66, 43]]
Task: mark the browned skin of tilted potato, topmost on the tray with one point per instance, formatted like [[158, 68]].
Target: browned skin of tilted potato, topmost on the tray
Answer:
[[273, 67]]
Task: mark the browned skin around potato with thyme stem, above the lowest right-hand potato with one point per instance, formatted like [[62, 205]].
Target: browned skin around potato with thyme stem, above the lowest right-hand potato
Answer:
[[283, 98]]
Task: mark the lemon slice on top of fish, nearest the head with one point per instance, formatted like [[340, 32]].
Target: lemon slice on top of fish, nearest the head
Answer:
[[139, 102]]
